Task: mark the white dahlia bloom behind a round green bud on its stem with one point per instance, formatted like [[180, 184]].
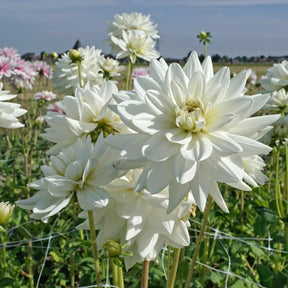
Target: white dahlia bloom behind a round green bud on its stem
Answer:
[[66, 76]]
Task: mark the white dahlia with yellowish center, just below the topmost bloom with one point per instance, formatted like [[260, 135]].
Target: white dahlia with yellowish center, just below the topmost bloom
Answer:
[[135, 45]]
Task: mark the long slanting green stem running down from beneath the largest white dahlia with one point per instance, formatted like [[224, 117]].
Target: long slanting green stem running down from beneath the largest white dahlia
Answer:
[[198, 243]]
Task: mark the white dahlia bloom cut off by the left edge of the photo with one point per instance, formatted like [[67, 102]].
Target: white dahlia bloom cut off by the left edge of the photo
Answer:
[[9, 111]]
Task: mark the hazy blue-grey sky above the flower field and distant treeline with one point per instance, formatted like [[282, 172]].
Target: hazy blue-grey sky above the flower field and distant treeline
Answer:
[[238, 27]]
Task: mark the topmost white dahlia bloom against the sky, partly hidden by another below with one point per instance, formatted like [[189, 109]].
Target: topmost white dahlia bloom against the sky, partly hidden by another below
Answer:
[[133, 21]]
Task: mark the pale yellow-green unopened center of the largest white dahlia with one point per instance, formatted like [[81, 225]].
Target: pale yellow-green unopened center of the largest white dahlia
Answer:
[[190, 116]]
